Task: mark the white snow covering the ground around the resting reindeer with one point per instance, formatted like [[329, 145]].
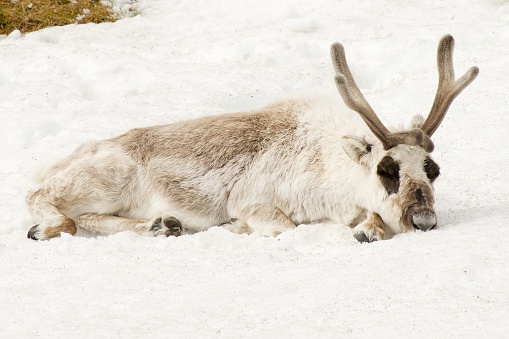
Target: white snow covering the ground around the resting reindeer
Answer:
[[63, 86]]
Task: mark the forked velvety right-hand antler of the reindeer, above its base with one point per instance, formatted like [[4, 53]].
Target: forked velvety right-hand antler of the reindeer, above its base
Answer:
[[448, 88]]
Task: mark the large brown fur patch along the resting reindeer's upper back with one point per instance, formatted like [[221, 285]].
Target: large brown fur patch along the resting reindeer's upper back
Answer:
[[213, 140]]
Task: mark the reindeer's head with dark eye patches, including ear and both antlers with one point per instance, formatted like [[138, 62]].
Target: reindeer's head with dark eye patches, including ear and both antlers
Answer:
[[403, 165]]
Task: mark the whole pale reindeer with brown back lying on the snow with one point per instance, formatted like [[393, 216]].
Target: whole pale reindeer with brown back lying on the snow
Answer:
[[300, 160]]
